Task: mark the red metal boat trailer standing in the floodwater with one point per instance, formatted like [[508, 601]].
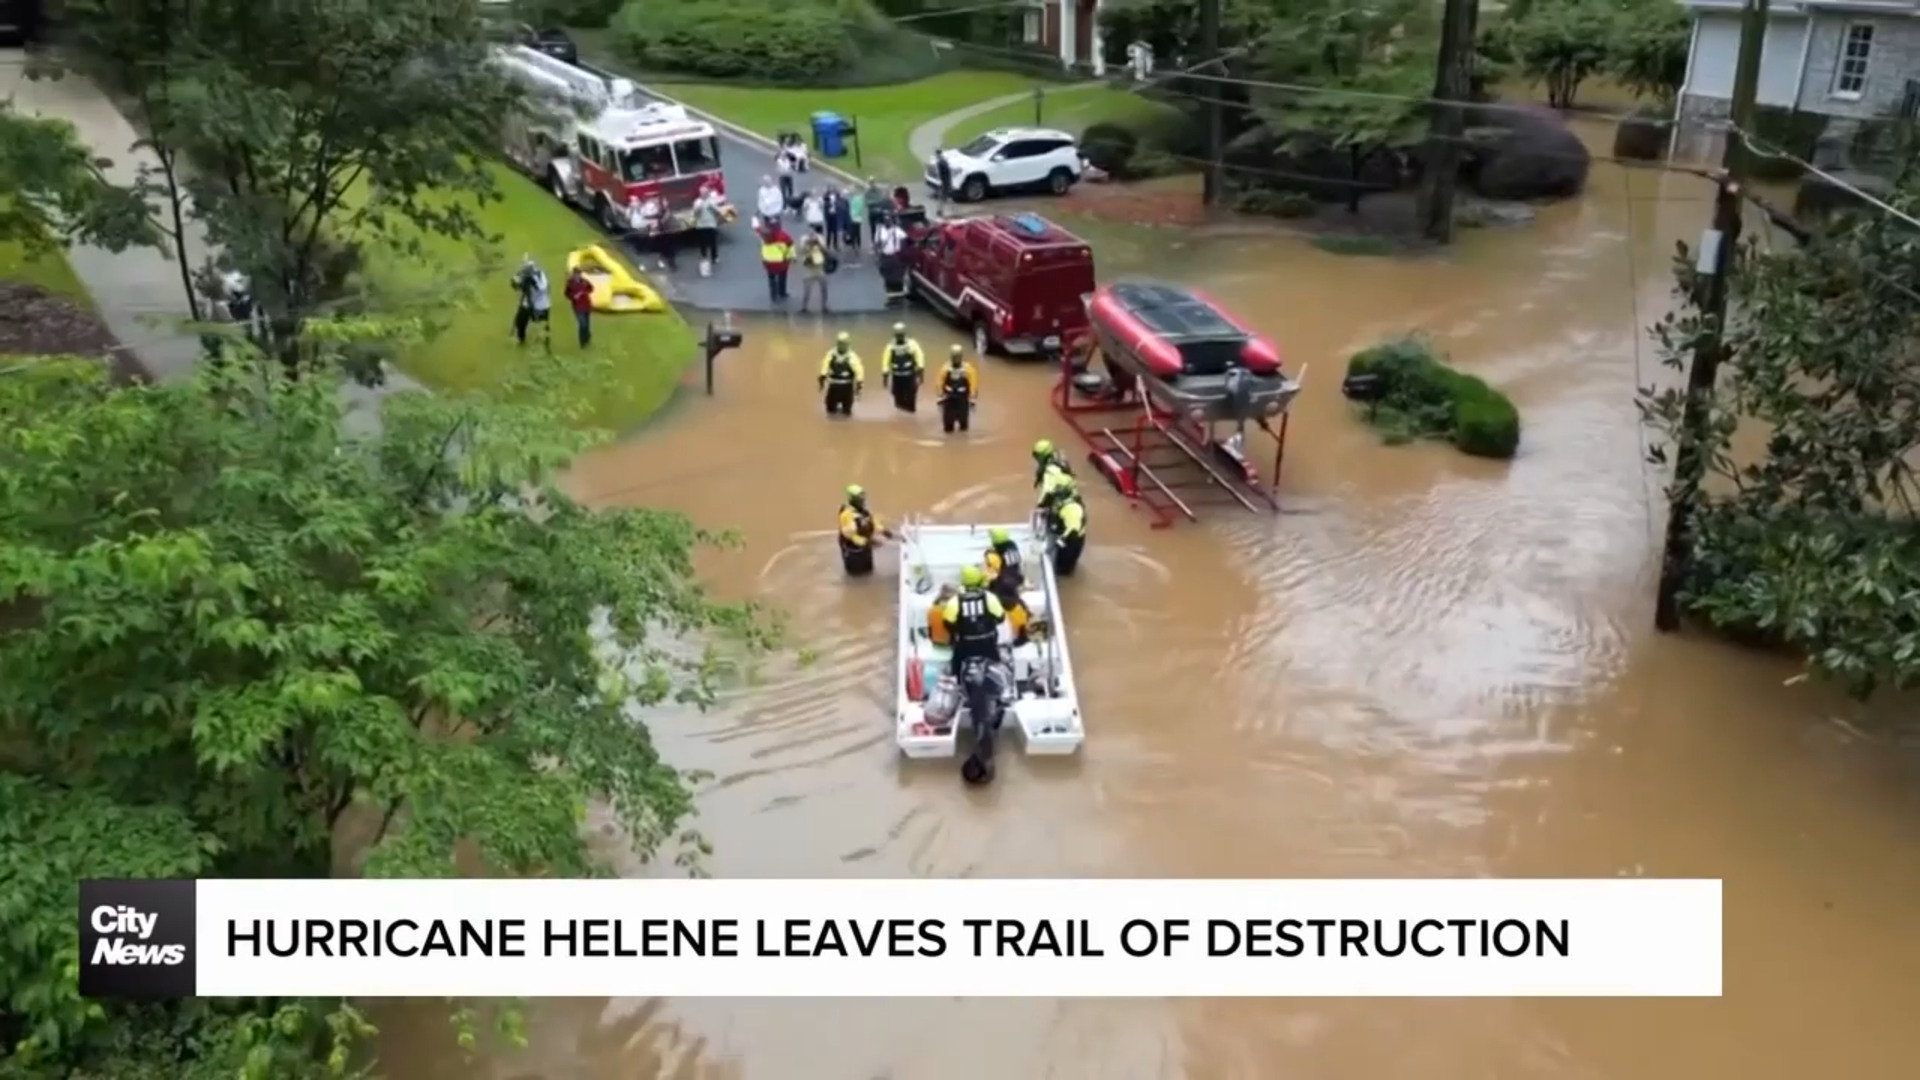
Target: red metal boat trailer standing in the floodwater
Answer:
[[1145, 447]]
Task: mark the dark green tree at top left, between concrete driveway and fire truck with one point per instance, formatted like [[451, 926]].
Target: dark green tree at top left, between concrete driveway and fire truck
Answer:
[[306, 130]]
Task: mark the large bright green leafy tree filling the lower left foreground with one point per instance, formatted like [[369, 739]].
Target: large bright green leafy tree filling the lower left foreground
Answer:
[[245, 641]]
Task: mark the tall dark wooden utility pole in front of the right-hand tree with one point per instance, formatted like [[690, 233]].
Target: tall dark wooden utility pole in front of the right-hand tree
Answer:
[[1717, 253]]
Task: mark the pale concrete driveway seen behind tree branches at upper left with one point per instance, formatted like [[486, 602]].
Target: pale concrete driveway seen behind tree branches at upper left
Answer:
[[139, 293]]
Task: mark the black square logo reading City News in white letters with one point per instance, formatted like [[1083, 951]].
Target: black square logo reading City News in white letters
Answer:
[[137, 939]]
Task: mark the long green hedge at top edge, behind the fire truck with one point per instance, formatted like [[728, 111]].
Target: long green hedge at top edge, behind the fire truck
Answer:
[[734, 39]]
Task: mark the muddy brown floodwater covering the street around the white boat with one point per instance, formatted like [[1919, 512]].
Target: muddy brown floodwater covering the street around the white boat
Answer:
[[1426, 666]]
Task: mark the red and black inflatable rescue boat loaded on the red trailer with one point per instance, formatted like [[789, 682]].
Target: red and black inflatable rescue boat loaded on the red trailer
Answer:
[[1188, 353]]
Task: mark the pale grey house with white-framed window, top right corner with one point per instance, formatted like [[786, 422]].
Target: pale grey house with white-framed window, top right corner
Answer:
[[1850, 61]]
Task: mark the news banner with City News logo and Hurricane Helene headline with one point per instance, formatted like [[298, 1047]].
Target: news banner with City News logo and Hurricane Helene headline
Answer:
[[901, 939]]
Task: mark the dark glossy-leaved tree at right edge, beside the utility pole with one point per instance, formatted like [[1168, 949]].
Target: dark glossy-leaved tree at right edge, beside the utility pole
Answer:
[[1813, 541]]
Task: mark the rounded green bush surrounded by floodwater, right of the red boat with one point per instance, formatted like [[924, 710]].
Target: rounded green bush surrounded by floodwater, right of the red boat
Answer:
[[1420, 397]]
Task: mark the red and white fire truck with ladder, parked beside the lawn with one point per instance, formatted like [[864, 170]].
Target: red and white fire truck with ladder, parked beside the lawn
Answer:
[[602, 145]]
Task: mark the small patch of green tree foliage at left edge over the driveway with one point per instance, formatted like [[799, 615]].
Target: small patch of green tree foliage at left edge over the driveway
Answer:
[[57, 193]]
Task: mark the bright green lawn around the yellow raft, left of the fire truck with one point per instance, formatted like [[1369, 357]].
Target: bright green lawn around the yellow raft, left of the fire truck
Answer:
[[475, 349]]
